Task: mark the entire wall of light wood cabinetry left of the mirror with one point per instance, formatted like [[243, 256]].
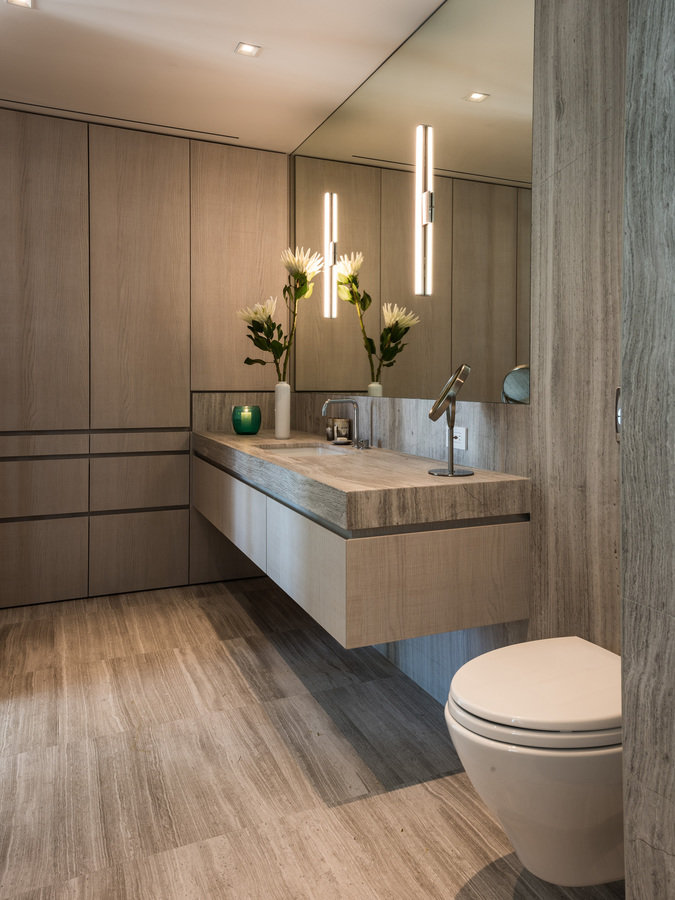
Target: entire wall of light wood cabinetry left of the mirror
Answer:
[[95, 254]]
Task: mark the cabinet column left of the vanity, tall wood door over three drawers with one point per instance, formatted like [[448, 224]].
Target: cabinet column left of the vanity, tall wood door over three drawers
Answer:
[[140, 352]]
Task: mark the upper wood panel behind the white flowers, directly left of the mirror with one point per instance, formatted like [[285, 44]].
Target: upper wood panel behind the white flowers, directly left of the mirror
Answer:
[[239, 229]]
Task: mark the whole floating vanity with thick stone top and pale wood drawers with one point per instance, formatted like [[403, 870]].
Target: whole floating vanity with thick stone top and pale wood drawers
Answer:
[[368, 543]]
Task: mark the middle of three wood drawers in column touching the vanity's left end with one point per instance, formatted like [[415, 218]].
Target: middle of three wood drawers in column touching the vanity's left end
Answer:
[[134, 482]]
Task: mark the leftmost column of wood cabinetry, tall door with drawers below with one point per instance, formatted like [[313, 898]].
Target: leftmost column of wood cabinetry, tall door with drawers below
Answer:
[[44, 358]]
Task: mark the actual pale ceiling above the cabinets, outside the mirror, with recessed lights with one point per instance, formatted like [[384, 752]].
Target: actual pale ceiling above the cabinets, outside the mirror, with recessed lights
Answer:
[[171, 65]]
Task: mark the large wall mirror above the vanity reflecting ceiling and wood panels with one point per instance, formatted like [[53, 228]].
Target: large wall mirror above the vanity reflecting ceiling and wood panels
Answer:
[[479, 309]]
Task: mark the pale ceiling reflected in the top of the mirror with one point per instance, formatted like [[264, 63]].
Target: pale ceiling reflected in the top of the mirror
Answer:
[[467, 45]]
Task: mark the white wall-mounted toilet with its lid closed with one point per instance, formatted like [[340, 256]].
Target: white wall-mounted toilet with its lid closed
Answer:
[[537, 727]]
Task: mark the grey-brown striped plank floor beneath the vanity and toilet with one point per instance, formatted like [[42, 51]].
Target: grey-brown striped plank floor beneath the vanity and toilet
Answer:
[[211, 742]]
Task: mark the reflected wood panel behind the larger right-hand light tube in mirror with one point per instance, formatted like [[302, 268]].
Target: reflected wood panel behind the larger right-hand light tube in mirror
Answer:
[[423, 367]]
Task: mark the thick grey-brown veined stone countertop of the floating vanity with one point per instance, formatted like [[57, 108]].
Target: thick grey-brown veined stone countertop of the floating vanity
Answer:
[[357, 490]]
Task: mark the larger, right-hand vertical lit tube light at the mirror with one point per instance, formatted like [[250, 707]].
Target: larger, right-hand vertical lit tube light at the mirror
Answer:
[[424, 209]]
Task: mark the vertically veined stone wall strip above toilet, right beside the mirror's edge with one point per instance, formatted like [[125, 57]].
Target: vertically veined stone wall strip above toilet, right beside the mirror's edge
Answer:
[[577, 215]]
